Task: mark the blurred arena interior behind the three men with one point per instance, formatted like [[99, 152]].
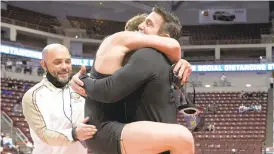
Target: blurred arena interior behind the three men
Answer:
[[229, 44]]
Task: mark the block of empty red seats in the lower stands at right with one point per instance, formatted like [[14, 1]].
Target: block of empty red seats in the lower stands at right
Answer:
[[244, 132]]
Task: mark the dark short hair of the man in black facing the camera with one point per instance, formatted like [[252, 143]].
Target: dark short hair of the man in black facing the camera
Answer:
[[171, 25]]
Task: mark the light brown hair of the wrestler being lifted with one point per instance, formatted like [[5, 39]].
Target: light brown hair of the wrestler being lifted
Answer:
[[134, 22]]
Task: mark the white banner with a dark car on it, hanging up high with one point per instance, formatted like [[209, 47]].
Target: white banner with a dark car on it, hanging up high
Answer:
[[222, 16]]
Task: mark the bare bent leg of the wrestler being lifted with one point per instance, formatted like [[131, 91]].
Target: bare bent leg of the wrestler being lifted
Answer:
[[147, 137]]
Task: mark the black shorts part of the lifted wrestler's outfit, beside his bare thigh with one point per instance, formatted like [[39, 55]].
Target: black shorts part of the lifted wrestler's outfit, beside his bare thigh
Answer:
[[107, 139]]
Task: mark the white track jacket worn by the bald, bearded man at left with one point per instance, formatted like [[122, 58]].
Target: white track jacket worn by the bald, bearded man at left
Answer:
[[51, 114]]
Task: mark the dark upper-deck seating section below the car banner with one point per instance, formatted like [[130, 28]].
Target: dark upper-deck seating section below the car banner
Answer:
[[226, 34]]
